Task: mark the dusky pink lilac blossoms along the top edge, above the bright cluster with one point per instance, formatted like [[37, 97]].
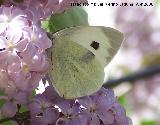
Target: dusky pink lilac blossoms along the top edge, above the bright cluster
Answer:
[[41, 9]]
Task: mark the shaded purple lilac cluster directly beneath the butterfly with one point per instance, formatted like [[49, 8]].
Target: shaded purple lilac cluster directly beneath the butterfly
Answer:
[[101, 108]]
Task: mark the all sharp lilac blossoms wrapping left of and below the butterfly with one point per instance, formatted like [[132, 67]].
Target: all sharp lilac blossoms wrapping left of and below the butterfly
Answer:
[[23, 63]]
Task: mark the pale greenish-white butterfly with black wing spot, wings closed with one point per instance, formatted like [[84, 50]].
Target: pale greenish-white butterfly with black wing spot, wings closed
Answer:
[[78, 57]]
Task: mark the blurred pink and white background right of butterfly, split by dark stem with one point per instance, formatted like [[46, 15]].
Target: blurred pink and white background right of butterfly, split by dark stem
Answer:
[[140, 50]]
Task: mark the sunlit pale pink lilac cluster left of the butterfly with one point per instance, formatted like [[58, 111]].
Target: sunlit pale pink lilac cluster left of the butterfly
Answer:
[[22, 48]]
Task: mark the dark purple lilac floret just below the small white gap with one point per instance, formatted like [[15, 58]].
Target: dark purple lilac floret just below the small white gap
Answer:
[[43, 111]]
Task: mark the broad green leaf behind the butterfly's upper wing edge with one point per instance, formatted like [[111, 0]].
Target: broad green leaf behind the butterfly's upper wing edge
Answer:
[[75, 16]]
